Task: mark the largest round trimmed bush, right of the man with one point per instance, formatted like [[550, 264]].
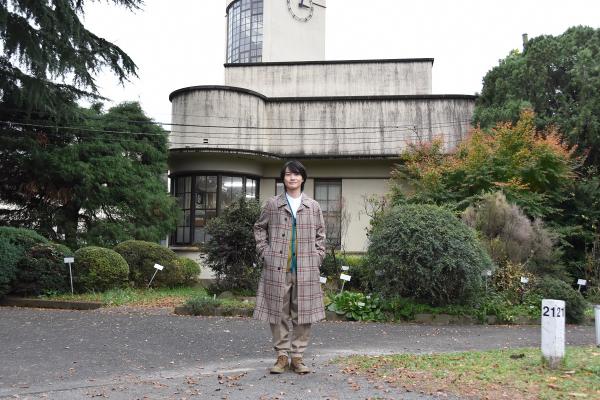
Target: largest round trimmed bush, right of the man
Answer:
[[425, 252]]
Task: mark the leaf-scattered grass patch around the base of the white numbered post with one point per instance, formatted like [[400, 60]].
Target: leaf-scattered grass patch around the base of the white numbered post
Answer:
[[515, 374]]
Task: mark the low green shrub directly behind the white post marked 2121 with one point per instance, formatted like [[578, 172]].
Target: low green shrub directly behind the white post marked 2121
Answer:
[[555, 289]]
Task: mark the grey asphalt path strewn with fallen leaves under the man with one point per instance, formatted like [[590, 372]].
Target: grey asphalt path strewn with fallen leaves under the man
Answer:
[[124, 354]]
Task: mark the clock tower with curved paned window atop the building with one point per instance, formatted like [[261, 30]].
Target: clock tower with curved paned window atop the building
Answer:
[[260, 31]]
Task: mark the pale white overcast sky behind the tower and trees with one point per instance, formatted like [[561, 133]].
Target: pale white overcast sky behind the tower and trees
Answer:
[[180, 43]]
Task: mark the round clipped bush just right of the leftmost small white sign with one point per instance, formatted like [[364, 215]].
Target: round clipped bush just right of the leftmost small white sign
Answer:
[[99, 269]]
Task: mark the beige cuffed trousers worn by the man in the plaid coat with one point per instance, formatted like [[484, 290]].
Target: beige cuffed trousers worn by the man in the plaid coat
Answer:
[[281, 331]]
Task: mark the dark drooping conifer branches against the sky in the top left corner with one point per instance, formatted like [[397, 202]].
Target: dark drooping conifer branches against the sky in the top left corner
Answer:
[[45, 41]]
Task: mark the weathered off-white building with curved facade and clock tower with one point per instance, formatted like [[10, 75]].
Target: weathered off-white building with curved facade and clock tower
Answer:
[[346, 121]]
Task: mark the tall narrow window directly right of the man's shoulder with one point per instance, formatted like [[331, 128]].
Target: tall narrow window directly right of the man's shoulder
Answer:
[[329, 195]]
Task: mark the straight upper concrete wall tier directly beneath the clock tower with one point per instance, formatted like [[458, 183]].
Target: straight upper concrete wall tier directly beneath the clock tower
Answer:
[[343, 78]]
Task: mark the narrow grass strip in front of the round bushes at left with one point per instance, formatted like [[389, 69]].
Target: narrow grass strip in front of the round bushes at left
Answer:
[[136, 297]]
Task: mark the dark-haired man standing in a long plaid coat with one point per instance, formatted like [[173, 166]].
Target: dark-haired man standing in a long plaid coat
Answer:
[[290, 238]]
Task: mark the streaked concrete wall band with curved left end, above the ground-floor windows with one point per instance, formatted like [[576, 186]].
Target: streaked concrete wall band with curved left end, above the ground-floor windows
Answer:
[[227, 118]]
